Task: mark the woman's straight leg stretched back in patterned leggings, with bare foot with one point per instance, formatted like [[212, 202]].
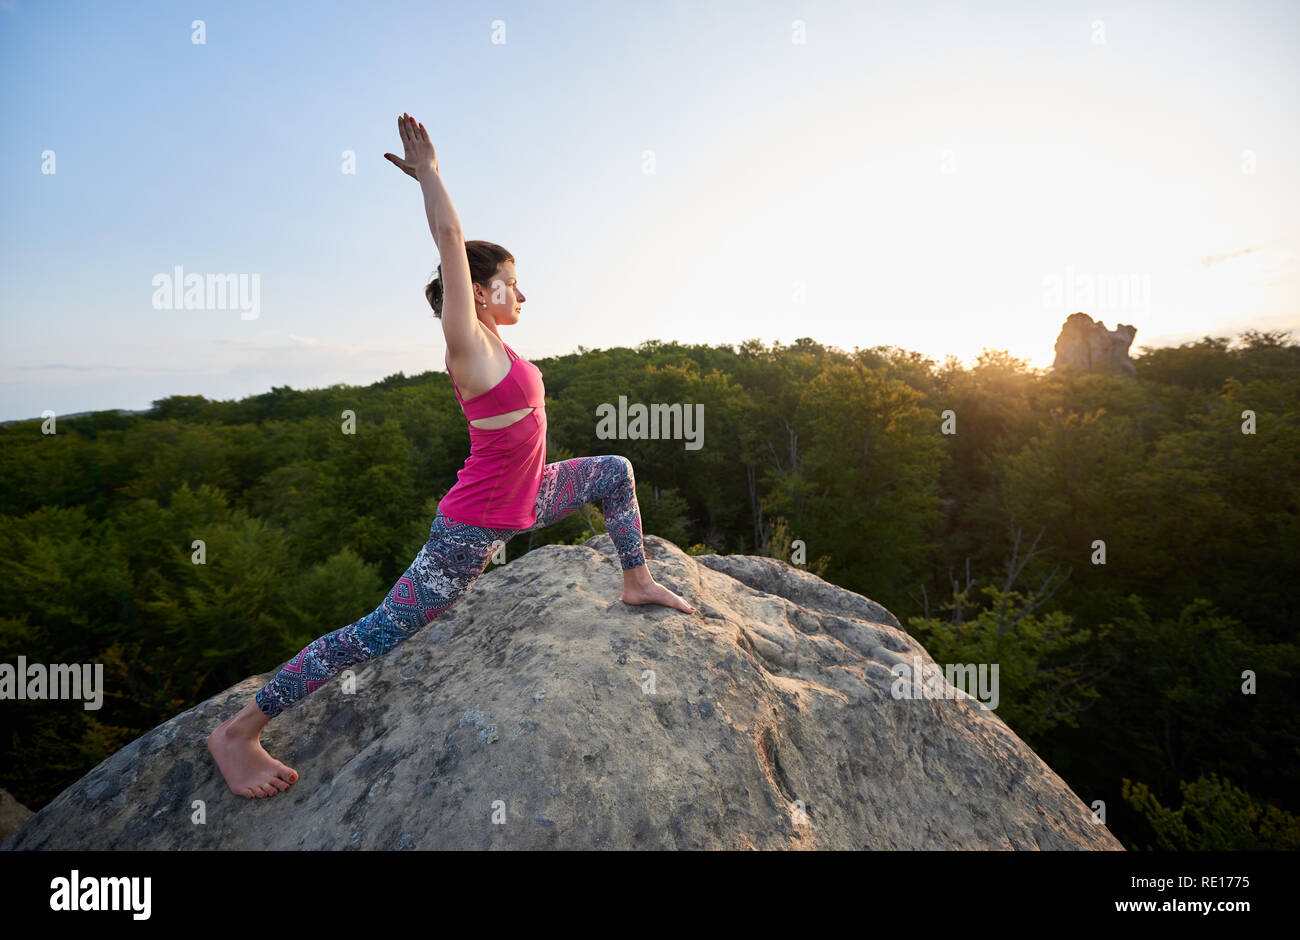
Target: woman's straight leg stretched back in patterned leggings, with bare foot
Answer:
[[448, 565]]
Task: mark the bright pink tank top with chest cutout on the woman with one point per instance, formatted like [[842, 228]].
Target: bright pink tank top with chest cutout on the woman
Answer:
[[499, 486]]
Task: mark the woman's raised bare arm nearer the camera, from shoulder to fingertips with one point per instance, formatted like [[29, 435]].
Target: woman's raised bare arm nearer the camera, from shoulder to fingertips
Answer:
[[460, 324]]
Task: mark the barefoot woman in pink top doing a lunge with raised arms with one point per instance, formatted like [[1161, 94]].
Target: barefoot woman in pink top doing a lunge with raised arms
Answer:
[[505, 488]]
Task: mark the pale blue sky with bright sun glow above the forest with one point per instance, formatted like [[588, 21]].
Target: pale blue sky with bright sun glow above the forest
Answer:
[[943, 177]]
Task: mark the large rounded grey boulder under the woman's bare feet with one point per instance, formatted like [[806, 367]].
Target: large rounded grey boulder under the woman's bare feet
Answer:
[[770, 725]]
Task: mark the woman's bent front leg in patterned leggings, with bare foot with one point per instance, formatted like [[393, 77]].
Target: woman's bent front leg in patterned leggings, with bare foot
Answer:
[[569, 484]]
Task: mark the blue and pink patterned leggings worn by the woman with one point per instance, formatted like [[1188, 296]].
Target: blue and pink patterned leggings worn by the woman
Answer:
[[452, 561]]
